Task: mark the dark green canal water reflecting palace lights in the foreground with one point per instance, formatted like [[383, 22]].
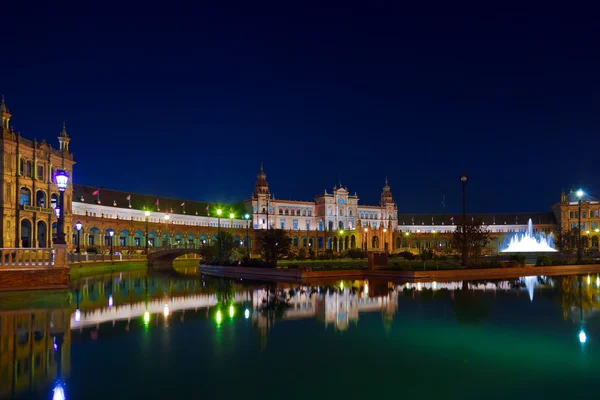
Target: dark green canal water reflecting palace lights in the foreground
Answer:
[[127, 335]]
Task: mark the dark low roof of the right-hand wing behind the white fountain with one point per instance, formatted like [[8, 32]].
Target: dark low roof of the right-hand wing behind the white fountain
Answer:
[[488, 219]]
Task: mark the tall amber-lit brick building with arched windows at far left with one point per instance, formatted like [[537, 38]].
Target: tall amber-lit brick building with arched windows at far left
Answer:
[[29, 195]]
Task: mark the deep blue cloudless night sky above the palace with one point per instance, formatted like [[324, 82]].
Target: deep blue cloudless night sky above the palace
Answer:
[[187, 102]]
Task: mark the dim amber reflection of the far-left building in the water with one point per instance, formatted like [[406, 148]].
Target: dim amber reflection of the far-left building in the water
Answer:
[[30, 343]]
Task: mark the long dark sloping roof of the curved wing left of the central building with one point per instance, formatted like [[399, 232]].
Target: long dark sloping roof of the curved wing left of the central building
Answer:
[[84, 194]]
